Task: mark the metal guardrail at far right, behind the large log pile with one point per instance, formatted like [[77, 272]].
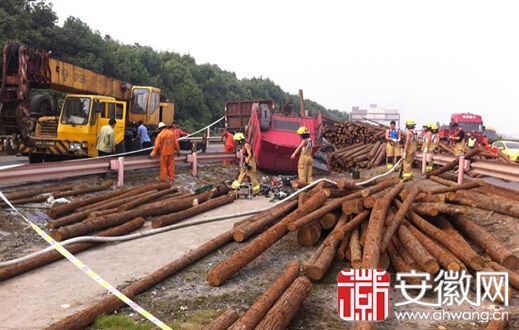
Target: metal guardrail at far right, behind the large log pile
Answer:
[[483, 167]]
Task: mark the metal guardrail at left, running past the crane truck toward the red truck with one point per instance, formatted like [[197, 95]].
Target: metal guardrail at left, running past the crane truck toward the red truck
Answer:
[[68, 169]]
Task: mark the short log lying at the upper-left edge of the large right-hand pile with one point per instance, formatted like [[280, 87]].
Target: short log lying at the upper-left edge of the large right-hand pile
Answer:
[[266, 219]]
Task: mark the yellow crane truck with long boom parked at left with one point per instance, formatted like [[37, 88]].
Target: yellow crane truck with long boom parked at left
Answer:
[[32, 125]]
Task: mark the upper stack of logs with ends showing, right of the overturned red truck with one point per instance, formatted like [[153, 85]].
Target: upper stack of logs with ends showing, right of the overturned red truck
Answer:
[[348, 133]]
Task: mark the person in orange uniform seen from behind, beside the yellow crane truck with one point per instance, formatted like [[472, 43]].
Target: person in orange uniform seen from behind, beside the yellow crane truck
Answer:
[[167, 143]]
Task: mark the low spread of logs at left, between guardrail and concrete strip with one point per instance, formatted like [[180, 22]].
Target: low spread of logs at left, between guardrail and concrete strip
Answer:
[[117, 213]]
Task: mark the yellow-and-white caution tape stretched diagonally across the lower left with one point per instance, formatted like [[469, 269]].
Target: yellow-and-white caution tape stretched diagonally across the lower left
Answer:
[[85, 269]]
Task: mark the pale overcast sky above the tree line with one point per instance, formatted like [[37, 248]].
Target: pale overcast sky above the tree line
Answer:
[[427, 59]]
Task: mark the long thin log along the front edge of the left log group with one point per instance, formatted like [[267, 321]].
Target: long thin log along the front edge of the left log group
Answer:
[[115, 219]]
